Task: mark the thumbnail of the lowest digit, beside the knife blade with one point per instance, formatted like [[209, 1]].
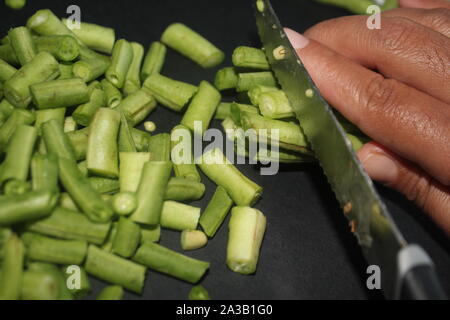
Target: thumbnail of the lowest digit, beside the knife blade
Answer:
[[380, 168]]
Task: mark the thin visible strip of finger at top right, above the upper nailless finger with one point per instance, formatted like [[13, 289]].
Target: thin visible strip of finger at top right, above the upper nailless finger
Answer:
[[435, 19]]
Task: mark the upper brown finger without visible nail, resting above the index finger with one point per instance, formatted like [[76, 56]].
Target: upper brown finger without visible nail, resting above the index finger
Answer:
[[401, 49]]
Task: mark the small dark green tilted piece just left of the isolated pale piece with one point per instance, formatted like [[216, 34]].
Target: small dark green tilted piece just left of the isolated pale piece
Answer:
[[216, 212]]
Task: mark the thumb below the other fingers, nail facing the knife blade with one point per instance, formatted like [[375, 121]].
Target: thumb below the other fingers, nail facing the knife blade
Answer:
[[385, 167]]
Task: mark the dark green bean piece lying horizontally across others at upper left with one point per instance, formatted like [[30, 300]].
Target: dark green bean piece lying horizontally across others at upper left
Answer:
[[59, 93]]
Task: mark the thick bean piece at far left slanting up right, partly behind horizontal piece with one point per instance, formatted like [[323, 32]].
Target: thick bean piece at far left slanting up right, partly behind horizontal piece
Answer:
[[42, 68]]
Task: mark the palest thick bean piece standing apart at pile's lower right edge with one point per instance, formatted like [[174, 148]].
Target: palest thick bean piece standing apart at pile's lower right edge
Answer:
[[246, 232]]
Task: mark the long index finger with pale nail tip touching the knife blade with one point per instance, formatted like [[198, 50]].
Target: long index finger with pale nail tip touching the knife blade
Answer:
[[407, 121]]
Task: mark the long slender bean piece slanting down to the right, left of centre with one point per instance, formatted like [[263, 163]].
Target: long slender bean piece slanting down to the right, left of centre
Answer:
[[80, 189]]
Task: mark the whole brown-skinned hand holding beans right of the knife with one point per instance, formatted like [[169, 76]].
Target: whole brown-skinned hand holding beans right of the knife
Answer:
[[394, 84]]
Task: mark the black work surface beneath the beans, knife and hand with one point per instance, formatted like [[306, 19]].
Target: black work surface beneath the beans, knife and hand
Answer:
[[308, 252]]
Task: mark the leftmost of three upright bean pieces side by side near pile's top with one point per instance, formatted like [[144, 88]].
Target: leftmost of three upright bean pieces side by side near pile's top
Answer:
[[122, 57]]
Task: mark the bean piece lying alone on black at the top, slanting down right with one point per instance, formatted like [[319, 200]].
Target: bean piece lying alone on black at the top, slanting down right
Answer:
[[192, 45]]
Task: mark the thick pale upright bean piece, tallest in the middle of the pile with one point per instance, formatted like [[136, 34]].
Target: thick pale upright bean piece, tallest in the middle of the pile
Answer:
[[102, 152]]
